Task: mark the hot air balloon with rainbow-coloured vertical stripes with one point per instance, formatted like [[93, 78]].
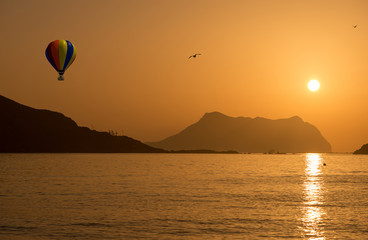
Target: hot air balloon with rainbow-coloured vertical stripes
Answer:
[[61, 54]]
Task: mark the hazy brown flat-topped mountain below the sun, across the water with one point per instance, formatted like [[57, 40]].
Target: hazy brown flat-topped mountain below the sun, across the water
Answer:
[[219, 132]]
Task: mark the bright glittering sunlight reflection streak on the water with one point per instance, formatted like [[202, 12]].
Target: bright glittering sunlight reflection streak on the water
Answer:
[[313, 213]]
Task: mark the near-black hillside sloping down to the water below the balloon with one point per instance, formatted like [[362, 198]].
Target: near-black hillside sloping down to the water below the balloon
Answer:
[[25, 129]]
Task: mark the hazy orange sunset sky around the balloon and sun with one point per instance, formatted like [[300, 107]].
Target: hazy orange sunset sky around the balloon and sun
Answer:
[[132, 71]]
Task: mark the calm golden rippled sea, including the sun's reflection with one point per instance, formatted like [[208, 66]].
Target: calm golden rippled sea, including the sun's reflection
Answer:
[[183, 196]]
